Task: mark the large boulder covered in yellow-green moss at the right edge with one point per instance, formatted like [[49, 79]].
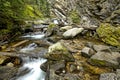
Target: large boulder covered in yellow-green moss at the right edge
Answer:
[[109, 34]]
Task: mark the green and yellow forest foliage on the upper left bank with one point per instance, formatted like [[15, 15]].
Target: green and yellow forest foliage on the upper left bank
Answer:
[[13, 13]]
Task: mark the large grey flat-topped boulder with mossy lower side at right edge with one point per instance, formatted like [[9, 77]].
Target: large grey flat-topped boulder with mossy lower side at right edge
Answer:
[[105, 59]]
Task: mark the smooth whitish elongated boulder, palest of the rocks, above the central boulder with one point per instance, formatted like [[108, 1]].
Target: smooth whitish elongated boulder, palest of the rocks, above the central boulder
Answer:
[[72, 32]]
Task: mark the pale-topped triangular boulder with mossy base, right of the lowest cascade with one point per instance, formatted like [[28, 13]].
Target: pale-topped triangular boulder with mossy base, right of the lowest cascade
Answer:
[[59, 52]]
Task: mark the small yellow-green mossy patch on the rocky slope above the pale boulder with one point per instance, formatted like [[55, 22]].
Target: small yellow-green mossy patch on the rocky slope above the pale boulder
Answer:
[[74, 16]]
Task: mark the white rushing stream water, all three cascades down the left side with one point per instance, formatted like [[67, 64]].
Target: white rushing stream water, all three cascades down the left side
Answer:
[[31, 66]]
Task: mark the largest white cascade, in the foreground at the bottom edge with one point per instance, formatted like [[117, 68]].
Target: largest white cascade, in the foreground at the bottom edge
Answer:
[[31, 69]]
